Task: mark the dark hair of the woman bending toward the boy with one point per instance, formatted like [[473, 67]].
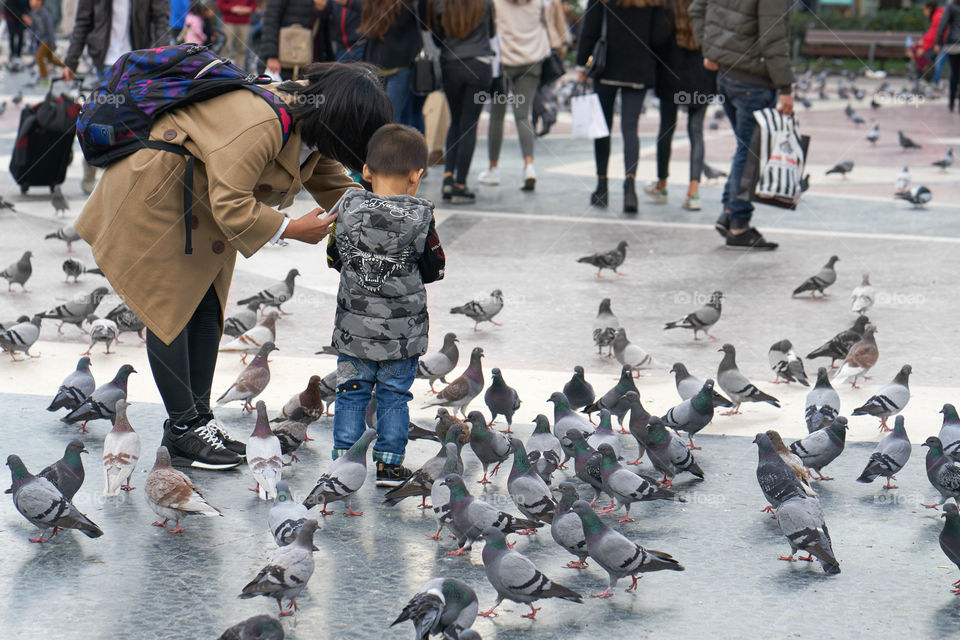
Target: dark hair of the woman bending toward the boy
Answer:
[[338, 109]]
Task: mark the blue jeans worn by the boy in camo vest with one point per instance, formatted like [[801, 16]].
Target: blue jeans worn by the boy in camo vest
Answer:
[[357, 380]]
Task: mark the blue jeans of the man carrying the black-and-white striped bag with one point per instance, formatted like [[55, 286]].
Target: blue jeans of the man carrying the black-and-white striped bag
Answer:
[[740, 100]]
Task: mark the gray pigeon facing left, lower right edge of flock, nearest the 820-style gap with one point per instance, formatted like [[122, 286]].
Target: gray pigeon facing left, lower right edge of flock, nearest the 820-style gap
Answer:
[[616, 554]]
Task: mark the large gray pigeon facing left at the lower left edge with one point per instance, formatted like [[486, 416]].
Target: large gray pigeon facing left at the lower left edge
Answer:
[[43, 505]]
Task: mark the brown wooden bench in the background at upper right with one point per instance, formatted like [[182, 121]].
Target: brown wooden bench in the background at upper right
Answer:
[[870, 45]]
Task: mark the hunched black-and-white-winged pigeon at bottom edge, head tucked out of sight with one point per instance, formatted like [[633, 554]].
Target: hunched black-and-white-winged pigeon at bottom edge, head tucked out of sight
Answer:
[[442, 606]]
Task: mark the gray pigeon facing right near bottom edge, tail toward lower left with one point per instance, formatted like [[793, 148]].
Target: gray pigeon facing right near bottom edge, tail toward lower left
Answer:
[[287, 571]]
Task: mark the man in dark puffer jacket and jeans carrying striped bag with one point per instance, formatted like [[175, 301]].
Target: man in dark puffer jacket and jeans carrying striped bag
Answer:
[[747, 41]]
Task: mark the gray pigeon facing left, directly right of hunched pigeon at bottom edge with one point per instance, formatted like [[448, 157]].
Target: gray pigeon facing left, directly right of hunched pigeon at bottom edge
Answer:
[[516, 578]]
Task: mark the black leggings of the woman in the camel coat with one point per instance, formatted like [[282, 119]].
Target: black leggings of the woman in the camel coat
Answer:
[[183, 370]]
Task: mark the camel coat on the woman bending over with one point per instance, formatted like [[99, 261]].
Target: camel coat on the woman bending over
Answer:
[[134, 219]]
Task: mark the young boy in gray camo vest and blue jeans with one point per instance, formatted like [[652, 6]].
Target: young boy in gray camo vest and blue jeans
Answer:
[[386, 248]]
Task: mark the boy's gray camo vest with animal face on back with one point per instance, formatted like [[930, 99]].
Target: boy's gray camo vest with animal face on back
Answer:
[[381, 304]]
